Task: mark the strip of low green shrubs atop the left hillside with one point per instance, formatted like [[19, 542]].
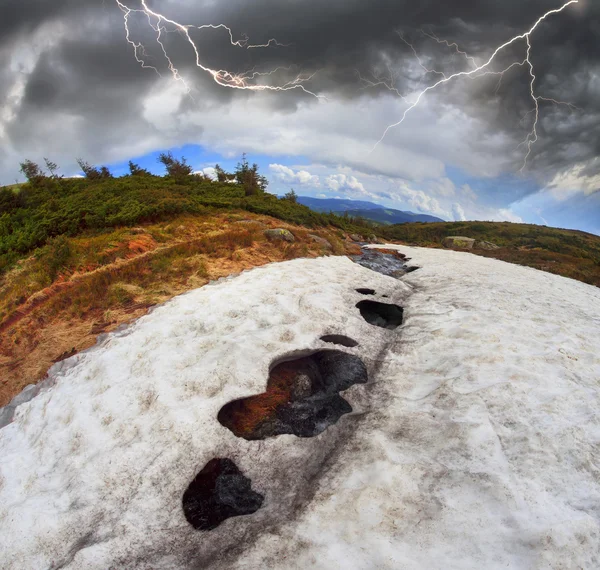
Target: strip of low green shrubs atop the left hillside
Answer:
[[34, 216]]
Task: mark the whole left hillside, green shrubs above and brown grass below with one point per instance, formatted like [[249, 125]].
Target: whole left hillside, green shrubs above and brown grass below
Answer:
[[81, 257]]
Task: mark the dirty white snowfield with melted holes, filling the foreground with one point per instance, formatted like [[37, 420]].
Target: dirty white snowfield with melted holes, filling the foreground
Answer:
[[474, 444]]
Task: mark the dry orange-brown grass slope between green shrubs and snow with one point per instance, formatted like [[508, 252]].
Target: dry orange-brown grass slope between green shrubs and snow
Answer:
[[113, 278]]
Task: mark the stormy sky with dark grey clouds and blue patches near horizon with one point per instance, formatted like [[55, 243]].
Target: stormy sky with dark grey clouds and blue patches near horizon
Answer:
[[71, 87]]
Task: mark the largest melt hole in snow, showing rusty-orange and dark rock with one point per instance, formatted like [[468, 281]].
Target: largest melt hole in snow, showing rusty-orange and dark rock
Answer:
[[302, 397]]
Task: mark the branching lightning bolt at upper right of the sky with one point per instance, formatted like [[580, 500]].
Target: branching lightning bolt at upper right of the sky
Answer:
[[482, 70]]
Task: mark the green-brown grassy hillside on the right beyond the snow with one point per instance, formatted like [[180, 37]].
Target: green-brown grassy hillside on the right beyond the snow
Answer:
[[565, 252]]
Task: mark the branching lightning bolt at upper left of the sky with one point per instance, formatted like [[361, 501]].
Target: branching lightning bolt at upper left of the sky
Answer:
[[160, 23]]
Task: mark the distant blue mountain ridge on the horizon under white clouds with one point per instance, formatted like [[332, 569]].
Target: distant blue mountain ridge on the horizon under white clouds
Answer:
[[368, 210]]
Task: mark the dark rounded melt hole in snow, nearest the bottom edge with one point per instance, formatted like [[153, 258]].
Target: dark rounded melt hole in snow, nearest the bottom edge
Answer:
[[220, 491]]
